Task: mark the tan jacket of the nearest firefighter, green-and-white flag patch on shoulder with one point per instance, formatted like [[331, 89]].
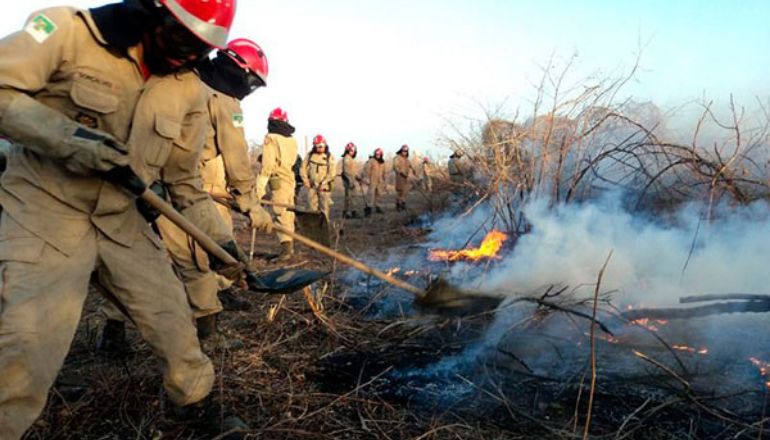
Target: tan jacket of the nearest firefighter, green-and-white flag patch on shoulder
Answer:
[[59, 61]]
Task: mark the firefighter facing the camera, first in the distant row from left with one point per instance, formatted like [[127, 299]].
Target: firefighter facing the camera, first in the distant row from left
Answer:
[[318, 176]]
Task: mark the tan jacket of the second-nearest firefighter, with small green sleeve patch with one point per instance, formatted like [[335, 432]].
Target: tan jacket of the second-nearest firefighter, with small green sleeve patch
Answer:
[[225, 137]]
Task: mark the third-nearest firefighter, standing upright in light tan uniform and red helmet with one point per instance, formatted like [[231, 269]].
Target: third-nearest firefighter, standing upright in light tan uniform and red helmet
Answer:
[[279, 154]]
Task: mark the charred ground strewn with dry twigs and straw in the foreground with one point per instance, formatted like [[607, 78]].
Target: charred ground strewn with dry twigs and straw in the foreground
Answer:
[[356, 362]]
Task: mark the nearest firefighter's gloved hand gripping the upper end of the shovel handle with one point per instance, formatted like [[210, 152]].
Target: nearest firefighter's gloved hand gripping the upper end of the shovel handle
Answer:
[[93, 151]]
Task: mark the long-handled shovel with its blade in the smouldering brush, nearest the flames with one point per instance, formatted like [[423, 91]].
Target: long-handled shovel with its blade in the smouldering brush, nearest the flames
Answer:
[[439, 295]]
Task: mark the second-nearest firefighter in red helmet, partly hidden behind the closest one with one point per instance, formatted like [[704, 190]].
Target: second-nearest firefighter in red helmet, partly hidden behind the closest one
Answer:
[[233, 74]]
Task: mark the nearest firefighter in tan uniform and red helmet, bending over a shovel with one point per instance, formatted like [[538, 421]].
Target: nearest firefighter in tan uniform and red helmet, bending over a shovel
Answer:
[[89, 122]]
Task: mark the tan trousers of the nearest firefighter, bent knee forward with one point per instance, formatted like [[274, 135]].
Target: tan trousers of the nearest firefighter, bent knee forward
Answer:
[[42, 292]]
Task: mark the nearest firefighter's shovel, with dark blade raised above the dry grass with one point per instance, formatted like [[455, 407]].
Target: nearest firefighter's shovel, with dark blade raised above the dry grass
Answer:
[[277, 282]]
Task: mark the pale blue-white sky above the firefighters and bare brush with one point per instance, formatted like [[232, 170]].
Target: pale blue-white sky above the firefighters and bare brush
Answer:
[[382, 73]]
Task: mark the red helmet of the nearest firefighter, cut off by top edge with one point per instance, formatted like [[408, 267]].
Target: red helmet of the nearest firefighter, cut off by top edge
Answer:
[[208, 20]]
